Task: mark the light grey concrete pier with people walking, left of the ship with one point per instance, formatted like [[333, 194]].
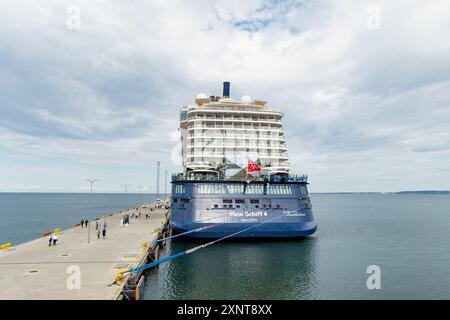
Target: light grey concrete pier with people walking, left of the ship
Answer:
[[33, 270]]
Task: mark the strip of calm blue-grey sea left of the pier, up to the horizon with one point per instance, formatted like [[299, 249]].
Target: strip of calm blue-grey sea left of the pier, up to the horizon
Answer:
[[26, 216]]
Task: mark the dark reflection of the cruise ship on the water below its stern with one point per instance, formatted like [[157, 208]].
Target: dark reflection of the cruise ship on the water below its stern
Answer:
[[237, 269]]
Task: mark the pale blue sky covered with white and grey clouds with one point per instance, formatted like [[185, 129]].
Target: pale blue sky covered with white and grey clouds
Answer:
[[93, 88]]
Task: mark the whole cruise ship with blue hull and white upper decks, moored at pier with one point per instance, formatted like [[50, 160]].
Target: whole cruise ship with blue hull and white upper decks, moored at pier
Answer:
[[236, 179]]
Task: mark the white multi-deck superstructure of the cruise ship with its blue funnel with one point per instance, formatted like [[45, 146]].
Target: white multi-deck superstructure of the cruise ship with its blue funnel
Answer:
[[220, 130]]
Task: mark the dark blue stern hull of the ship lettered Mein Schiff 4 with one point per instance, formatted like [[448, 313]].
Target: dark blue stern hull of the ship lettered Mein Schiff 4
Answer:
[[225, 213]]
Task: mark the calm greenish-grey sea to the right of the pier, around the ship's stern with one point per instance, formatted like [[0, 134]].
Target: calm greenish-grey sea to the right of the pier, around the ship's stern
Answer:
[[406, 236]]
